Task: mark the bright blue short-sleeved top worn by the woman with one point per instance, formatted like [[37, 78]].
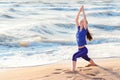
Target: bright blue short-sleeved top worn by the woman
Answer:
[[81, 36]]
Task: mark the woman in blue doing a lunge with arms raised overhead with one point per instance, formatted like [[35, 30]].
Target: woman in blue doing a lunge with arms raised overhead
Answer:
[[81, 35]]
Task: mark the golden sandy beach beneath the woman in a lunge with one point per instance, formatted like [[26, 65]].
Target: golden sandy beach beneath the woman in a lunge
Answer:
[[107, 69]]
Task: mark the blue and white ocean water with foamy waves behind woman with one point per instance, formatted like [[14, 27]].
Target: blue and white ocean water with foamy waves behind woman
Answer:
[[48, 29]]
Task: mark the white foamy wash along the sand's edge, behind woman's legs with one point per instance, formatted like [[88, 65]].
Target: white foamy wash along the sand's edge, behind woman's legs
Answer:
[[55, 55]]
